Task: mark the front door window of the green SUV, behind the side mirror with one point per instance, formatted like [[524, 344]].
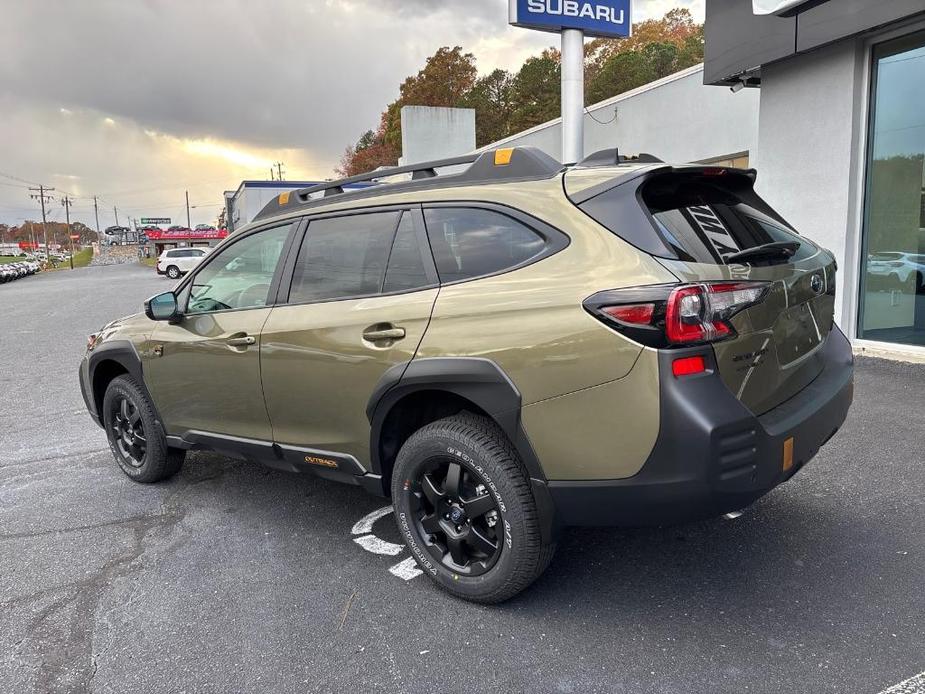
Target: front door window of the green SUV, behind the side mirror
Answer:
[[239, 275]]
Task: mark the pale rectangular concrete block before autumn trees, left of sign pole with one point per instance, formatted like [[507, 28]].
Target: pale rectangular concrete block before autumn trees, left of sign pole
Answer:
[[429, 133]]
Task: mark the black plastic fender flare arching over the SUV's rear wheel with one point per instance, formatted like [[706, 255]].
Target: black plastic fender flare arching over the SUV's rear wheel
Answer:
[[480, 381]]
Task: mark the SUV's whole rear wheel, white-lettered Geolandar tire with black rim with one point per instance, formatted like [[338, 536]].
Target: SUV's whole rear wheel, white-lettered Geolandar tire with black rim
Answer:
[[459, 558]]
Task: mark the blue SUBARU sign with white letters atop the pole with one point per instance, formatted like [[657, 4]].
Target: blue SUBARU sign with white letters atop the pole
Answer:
[[604, 18]]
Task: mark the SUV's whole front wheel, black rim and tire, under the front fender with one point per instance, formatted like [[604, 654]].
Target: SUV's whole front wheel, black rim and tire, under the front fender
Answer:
[[135, 437]]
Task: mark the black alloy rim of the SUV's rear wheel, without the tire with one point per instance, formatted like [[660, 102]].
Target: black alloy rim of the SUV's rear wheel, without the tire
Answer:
[[457, 517]]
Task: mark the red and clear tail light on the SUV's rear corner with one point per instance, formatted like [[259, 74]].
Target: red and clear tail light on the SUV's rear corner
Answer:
[[672, 315]]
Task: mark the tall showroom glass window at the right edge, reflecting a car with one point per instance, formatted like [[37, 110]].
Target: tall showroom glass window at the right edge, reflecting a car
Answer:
[[892, 306]]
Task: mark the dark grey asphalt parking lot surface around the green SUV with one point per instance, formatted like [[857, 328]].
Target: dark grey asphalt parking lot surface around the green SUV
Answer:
[[235, 578]]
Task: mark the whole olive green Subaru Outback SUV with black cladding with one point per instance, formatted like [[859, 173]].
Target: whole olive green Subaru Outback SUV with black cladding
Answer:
[[504, 350]]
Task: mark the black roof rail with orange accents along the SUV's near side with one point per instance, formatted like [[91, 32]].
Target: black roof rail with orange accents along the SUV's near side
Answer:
[[518, 163]]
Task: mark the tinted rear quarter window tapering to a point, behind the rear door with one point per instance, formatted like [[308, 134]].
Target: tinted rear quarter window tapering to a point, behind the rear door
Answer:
[[471, 242]]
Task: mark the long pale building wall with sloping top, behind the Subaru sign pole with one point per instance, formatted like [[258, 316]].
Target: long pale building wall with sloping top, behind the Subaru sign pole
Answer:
[[677, 119]]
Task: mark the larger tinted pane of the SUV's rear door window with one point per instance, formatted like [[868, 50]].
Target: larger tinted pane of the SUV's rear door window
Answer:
[[343, 257]]
